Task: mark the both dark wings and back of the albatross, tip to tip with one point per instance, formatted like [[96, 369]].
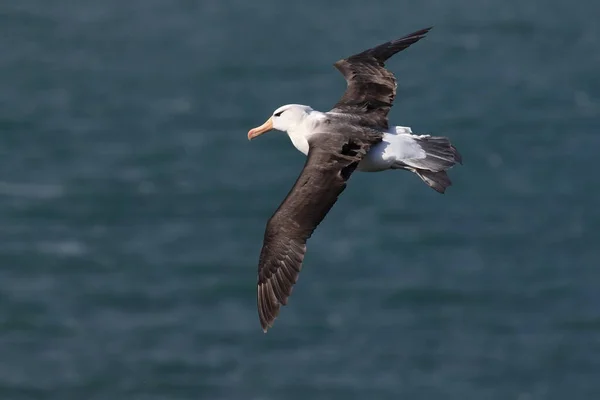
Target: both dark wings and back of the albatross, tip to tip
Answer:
[[334, 153]]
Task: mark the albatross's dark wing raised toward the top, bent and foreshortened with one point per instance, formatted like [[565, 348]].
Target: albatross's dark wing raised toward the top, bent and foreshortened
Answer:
[[372, 88]]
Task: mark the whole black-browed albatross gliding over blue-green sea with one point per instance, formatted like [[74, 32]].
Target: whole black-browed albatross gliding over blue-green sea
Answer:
[[354, 135]]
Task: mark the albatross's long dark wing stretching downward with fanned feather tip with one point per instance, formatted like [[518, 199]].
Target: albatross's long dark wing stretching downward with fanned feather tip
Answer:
[[332, 158]]
